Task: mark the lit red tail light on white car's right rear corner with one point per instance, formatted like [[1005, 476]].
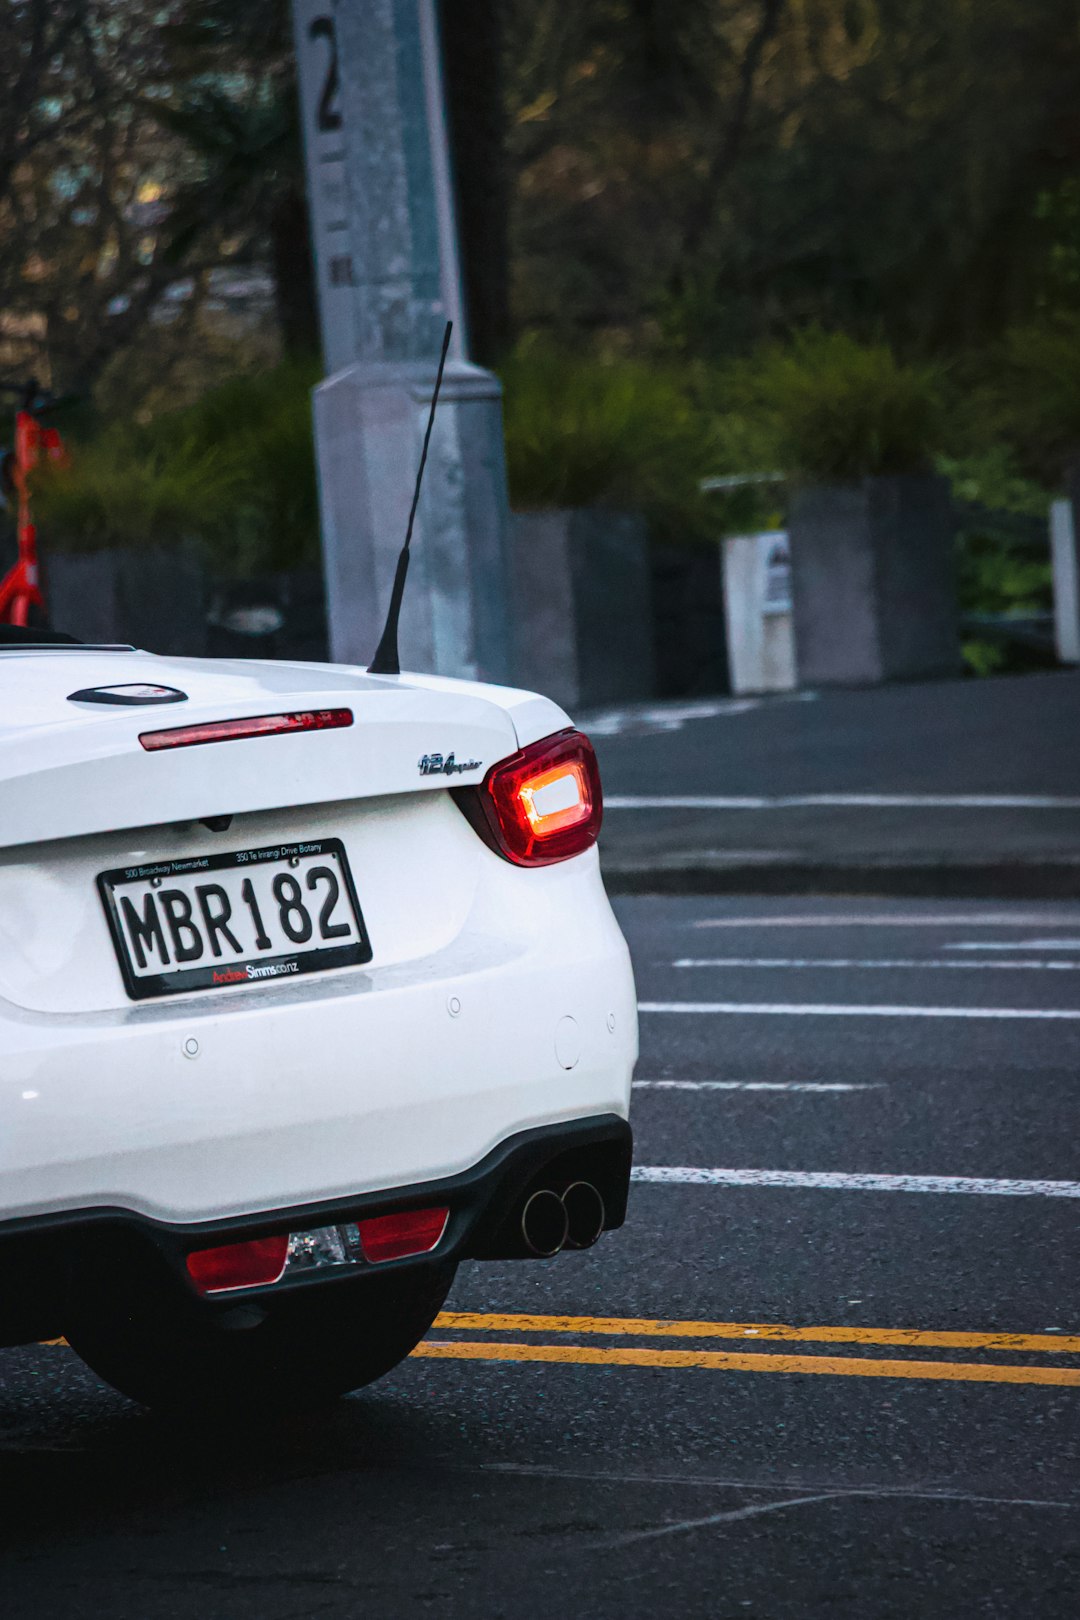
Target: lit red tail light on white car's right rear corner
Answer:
[[540, 806]]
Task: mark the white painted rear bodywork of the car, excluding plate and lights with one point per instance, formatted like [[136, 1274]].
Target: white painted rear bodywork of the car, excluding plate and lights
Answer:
[[273, 1096]]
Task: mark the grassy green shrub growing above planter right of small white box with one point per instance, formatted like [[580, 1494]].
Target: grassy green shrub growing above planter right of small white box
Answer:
[[838, 411]]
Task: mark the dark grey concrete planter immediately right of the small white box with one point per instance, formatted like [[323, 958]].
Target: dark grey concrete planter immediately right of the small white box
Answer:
[[874, 582]]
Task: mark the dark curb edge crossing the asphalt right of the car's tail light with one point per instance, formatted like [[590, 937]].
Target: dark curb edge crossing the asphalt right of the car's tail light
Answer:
[[992, 880]]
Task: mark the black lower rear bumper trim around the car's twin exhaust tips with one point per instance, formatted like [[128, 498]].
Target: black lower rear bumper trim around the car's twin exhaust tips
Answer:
[[53, 1268]]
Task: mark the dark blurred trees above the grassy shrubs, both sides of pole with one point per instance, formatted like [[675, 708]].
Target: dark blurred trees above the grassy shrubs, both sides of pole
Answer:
[[689, 176]]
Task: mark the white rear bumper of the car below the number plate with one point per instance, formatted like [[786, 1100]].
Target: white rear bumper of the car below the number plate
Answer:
[[211, 1107]]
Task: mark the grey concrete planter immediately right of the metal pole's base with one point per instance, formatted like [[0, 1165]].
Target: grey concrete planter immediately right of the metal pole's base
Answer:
[[584, 607]]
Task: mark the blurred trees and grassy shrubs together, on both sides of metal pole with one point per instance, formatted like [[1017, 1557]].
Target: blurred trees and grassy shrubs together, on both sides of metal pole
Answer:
[[825, 239]]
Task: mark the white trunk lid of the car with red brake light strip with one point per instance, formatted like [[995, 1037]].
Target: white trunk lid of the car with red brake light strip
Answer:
[[75, 767]]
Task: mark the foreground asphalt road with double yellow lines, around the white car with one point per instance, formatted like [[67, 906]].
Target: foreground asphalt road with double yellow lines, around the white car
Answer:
[[828, 1394]]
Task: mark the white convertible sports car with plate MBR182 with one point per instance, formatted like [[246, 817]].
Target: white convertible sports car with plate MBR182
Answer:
[[308, 991]]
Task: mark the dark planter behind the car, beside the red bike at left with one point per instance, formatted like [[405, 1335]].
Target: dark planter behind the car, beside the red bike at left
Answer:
[[153, 599]]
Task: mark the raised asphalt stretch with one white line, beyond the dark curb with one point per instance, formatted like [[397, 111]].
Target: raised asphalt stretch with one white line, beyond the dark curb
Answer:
[[951, 787]]
